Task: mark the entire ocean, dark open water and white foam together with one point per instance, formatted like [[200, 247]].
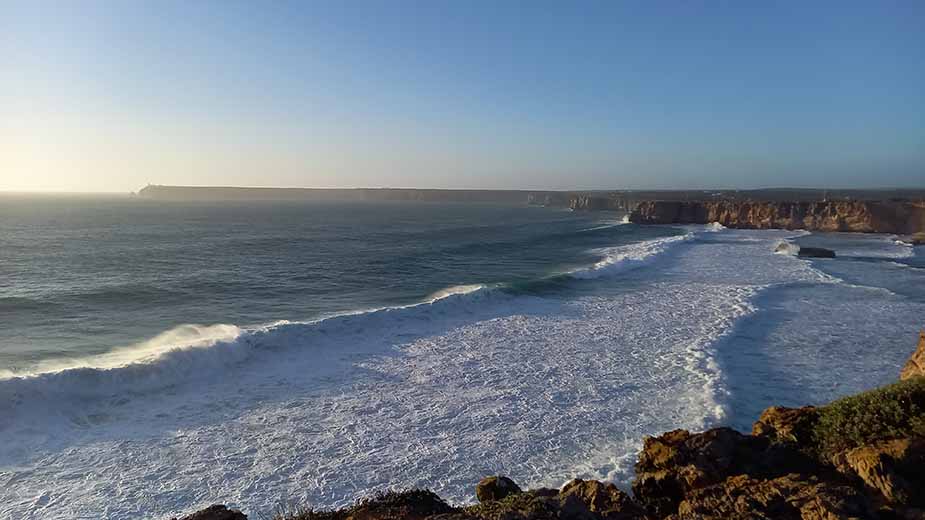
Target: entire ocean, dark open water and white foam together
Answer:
[[159, 357]]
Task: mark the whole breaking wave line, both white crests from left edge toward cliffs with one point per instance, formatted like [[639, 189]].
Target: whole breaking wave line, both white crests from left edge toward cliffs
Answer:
[[191, 351]]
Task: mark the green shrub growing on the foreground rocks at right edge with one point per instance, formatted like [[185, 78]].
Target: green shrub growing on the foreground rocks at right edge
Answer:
[[890, 412]]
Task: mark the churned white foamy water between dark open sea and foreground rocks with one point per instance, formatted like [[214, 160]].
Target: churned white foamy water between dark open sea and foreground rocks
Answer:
[[675, 334]]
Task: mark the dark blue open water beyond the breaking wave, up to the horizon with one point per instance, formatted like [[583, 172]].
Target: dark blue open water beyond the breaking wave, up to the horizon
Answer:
[[82, 275]]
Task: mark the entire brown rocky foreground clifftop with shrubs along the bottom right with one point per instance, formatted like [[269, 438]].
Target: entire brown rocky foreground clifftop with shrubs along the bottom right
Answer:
[[861, 457]]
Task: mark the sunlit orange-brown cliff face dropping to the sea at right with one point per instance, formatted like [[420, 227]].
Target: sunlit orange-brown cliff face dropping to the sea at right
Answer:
[[856, 216]]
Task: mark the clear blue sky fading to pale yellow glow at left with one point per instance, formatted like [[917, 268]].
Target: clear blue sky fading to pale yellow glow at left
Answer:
[[111, 96]]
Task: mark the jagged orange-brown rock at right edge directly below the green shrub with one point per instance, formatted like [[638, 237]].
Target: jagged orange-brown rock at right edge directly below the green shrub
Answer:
[[892, 468]]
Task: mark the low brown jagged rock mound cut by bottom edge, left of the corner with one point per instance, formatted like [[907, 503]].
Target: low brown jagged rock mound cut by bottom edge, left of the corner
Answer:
[[789, 497]]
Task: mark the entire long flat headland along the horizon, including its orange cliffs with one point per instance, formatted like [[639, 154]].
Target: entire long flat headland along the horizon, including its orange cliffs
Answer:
[[900, 211]]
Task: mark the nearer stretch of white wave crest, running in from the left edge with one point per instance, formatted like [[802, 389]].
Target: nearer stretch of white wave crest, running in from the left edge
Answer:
[[193, 352]]
